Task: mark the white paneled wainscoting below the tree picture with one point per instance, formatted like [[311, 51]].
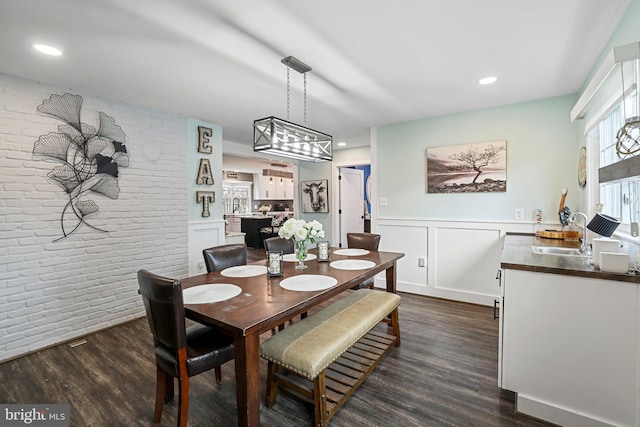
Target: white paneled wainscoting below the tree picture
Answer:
[[461, 258]]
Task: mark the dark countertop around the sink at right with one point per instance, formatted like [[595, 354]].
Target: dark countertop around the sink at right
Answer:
[[517, 255]]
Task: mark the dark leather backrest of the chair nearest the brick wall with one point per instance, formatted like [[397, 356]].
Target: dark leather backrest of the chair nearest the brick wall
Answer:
[[163, 303]]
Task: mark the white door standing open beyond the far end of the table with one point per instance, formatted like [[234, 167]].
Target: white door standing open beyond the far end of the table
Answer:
[[351, 209]]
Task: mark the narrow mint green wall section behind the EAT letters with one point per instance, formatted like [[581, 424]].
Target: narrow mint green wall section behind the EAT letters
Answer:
[[193, 159]]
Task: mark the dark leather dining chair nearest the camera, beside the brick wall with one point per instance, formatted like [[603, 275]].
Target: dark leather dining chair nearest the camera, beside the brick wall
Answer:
[[180, 352]]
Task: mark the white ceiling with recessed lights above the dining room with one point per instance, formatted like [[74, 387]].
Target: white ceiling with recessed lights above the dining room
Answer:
[[374, 63]]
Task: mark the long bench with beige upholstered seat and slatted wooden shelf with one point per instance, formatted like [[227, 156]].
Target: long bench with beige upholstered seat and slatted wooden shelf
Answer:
[[327, 355]]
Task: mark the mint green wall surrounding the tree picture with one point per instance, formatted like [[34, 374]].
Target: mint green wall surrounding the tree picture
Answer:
[[542, 158]]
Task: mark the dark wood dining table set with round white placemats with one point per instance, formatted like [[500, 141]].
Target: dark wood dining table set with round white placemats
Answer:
[[263, 305]]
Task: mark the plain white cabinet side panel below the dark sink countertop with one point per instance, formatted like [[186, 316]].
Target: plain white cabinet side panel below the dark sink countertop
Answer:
[[569, 347]]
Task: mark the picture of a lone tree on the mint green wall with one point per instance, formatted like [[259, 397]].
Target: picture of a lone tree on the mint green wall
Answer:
[[468, 168]]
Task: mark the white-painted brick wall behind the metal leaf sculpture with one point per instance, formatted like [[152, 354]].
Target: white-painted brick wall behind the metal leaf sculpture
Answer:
[[56, 291]]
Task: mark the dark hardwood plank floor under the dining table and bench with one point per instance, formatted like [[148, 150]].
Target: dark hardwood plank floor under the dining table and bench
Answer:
[[444, 374]]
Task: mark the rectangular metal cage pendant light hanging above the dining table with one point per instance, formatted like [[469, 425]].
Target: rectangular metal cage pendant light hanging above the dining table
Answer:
[[288, 139]]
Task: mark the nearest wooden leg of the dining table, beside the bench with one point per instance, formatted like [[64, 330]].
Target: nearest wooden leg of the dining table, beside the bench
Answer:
[[247, 360]]
